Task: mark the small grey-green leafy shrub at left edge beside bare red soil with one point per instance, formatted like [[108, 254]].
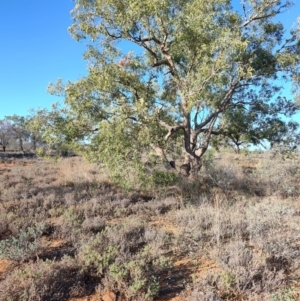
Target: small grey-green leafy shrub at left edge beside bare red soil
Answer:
[[24, 245]]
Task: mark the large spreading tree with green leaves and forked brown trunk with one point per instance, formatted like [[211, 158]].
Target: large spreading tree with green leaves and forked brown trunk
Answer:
[[165, 77]]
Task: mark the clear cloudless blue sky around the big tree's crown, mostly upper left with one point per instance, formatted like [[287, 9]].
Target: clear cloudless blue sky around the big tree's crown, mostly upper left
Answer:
[[36, 49]]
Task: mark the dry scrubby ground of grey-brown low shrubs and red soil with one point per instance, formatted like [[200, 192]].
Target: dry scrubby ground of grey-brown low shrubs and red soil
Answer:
[[67, 232]]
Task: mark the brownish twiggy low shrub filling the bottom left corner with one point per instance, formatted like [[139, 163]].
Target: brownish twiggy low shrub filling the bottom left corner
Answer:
[[42, 280]]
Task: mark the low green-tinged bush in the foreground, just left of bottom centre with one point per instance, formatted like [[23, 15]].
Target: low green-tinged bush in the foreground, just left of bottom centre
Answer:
[[109, 255]]
